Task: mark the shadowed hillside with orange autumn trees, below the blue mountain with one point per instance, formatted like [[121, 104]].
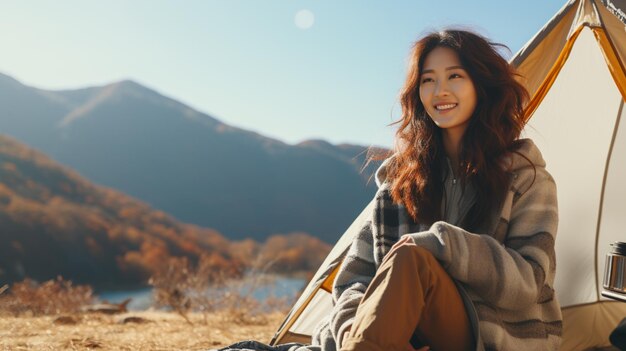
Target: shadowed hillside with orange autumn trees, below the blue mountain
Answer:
[[54, 222]]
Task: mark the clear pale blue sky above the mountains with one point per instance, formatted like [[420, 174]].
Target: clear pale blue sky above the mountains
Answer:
[[246, 62]]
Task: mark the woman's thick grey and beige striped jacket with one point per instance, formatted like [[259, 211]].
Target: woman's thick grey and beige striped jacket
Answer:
[[506, 273]]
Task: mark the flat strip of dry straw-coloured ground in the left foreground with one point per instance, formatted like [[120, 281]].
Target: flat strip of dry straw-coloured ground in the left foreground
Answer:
[[159, 331]]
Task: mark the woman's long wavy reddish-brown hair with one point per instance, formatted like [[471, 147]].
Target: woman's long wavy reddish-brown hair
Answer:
[[417, 170]]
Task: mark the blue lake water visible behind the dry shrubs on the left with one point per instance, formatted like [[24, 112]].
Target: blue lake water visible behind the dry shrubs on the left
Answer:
[[278, 287]]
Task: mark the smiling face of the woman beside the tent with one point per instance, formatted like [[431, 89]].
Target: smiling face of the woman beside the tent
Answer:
[[447, 91]]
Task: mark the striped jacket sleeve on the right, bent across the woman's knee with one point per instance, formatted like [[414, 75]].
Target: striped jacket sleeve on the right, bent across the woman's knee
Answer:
[[518, 272]]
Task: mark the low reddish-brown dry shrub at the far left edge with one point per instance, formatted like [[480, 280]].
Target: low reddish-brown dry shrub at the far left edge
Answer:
[[52, 297]]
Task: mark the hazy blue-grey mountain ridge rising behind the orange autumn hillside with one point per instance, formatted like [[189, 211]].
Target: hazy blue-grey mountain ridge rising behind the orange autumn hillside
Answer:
[[189, 164]]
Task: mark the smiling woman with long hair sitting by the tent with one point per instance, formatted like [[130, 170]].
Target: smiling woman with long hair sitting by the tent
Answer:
[[459, 252]]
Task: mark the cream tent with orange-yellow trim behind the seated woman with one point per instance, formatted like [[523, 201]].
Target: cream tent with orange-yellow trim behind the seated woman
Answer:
[[574, 69]]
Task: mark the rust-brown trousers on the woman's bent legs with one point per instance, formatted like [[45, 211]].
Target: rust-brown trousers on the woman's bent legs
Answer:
[[411, 292]]
